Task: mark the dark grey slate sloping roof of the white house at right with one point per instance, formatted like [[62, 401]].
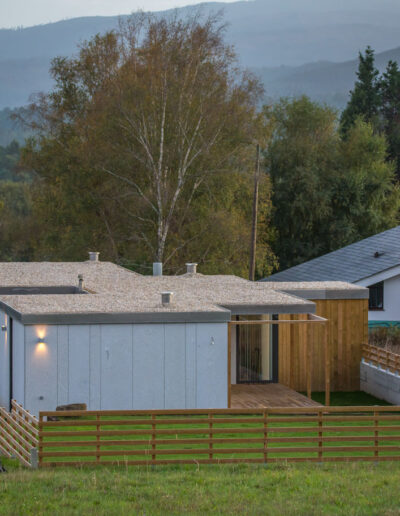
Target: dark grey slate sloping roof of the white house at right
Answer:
[[351, 263]]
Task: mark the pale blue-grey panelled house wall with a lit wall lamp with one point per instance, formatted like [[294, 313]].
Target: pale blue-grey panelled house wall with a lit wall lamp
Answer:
[[127, 366]]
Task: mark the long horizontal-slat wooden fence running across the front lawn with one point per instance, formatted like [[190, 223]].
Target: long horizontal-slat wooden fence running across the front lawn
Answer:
[[316, 434]]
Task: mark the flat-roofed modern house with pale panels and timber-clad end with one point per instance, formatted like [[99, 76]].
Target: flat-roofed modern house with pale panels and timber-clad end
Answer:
[[93, 332]]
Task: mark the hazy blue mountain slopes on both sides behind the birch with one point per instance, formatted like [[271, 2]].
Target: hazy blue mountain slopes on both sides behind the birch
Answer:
[[275, 38]]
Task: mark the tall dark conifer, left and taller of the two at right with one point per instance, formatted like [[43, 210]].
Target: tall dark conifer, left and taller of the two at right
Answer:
[[365, 99]]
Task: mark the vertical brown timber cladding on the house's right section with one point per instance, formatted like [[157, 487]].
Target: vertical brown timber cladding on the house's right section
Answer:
[[347, 332]]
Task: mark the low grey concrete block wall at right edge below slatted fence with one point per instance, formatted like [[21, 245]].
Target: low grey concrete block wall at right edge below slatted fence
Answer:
[[380, 383]]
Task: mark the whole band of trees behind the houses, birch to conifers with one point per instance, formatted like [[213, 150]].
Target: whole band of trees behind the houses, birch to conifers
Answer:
[[145, 150]]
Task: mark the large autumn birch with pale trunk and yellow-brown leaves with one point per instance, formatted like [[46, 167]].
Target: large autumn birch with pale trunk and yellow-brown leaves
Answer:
[[144, 140]]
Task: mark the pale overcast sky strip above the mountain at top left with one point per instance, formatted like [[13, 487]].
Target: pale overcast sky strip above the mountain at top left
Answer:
[[16, 13]]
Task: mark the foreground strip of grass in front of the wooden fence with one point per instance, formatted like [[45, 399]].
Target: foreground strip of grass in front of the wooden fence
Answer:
[[298, 489]]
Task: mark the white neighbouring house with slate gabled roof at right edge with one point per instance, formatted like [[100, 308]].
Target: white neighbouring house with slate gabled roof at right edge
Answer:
[[373, 262]]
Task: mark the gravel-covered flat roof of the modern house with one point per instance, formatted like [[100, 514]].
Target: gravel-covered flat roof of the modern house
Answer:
[[117, 295]]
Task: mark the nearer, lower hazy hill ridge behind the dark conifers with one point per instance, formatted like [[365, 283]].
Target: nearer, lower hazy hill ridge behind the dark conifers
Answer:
[[322, 81]]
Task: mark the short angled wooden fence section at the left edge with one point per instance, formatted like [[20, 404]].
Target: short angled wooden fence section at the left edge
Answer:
[[19, 434]]
